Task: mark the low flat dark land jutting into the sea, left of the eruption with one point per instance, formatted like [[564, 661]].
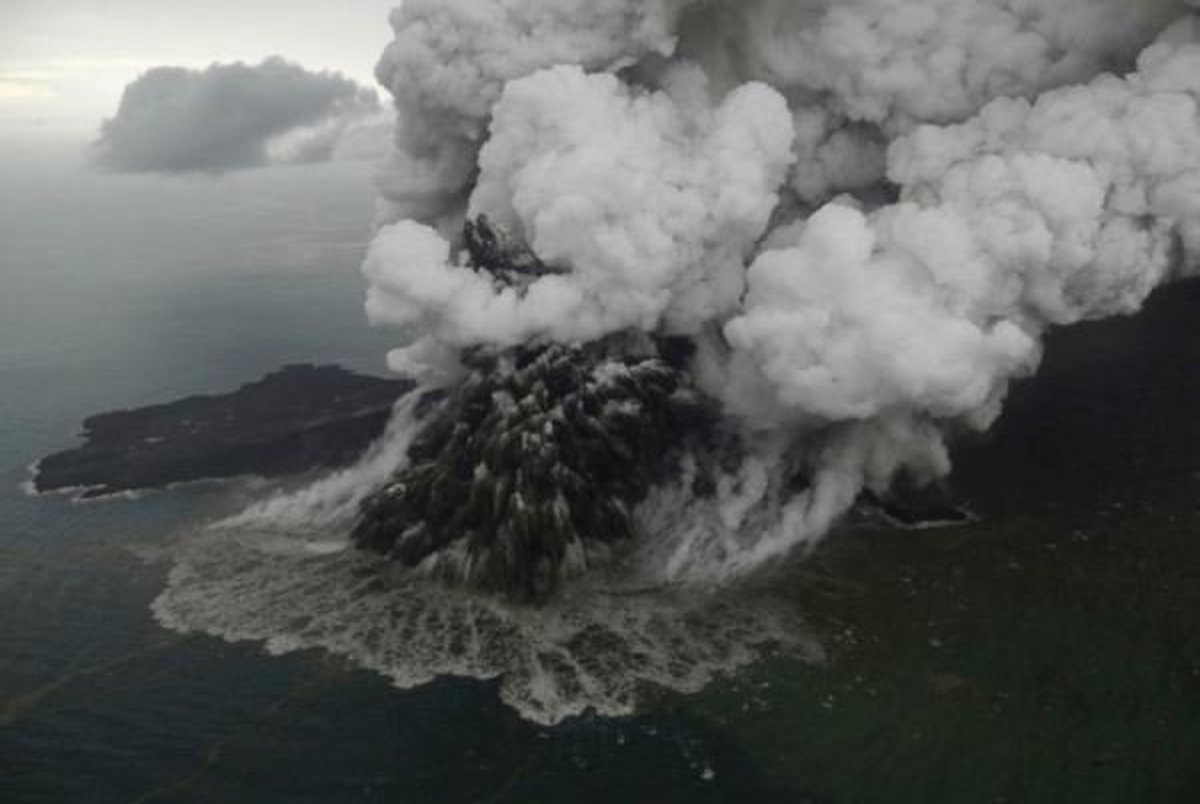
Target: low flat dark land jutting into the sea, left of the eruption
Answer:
[[296, 419]]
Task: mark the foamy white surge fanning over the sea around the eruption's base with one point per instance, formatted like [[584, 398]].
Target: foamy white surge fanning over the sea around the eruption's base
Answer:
[[281, 574]]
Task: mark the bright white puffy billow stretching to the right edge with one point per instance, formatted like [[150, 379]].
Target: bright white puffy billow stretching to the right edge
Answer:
[[1028, 215]]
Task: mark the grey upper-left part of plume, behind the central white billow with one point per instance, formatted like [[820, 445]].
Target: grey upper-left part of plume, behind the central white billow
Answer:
[[452, 59]]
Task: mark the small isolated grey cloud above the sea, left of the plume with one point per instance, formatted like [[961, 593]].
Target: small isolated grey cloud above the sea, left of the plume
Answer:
[[237, 116]]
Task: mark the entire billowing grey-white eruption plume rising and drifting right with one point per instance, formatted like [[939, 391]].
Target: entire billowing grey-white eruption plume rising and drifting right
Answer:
[[865, 215]]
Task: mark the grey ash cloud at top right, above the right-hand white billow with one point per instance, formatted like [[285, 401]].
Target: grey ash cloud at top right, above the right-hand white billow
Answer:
[[860, 74]]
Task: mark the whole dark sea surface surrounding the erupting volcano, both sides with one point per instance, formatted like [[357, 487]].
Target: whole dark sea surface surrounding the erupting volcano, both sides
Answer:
[[1051, 653]]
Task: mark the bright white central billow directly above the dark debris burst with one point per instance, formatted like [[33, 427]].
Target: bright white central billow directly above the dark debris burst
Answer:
[[669, 256]]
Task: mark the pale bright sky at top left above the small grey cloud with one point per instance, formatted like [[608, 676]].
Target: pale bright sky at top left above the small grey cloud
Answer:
[[64, 63]]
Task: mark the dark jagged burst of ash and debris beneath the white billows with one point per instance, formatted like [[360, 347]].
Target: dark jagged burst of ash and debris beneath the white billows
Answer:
[[535, 463]]
